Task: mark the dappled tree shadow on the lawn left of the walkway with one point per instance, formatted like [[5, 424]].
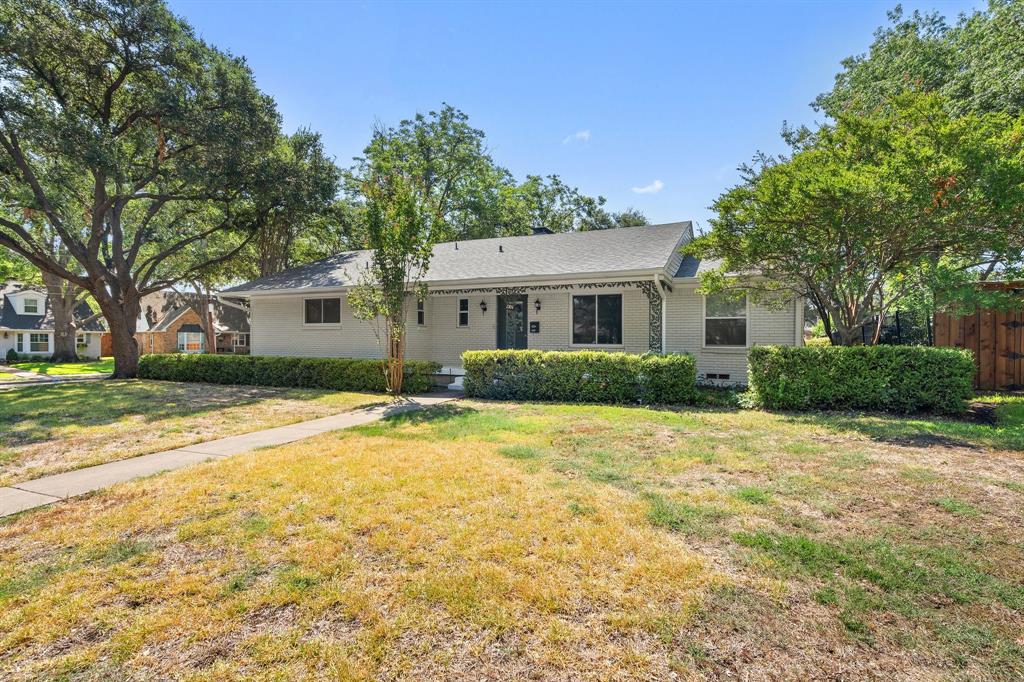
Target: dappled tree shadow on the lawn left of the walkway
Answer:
[[31, 414]]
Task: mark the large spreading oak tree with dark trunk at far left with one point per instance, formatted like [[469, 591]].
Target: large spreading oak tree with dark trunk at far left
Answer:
[[137, 145]]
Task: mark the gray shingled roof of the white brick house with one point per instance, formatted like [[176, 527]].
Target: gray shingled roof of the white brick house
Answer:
[[565, 254]]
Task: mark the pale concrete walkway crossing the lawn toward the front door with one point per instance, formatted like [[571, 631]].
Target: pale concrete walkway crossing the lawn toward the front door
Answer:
[[48, 490]]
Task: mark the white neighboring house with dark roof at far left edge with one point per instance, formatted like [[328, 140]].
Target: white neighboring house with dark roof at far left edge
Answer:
[[27, 323]]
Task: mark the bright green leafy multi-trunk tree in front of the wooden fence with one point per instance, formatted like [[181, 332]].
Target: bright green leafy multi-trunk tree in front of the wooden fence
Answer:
[[866, 211]]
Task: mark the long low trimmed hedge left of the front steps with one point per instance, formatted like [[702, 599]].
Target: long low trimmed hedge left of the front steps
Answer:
[[340, 374]]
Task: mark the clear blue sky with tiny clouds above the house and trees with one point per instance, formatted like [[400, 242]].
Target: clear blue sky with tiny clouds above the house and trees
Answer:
[[652, 106]]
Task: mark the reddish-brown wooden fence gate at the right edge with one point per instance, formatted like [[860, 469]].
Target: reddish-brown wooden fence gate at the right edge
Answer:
[[997, 337]]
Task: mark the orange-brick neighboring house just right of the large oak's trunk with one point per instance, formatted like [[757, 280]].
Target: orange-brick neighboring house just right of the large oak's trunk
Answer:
[[170, 322]]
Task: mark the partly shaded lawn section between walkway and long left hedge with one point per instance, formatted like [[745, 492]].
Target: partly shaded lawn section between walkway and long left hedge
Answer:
[[50, 430]]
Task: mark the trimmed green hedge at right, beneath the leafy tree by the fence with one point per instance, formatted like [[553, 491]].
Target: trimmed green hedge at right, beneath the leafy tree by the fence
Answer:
[[901, 379]]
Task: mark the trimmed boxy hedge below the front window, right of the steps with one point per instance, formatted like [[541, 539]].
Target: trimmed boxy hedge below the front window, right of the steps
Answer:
[[586, 376]]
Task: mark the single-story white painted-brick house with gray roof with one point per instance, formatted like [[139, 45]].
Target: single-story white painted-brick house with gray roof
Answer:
[[628, 289]]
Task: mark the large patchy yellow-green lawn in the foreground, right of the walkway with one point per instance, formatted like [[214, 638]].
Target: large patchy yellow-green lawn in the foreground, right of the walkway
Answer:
[[487, 541]]
